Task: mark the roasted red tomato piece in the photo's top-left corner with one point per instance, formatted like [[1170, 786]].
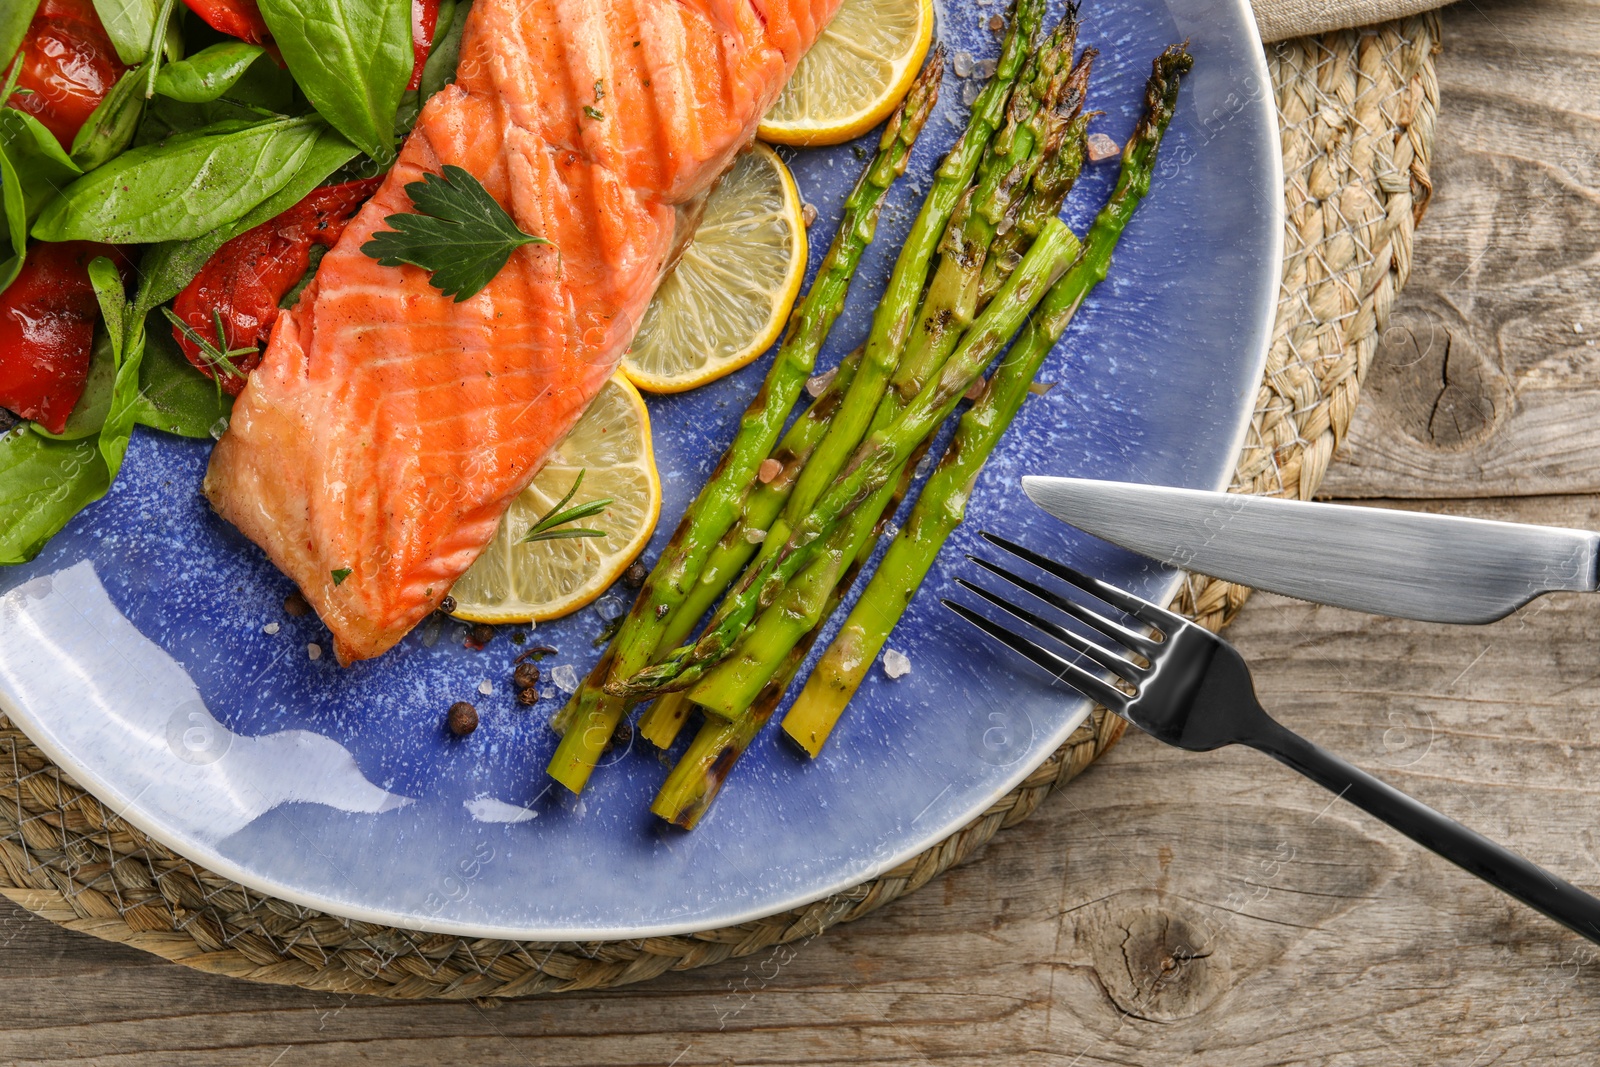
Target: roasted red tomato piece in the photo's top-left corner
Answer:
[[68, 66]]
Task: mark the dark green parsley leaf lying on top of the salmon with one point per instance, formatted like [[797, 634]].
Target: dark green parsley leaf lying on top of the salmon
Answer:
[[462, 234]]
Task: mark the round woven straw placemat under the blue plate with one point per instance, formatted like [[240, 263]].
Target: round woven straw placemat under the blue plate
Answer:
[[1358, 116]]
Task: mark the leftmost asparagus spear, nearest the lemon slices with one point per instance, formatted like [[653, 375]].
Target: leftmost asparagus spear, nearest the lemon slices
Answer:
[[594, 716]]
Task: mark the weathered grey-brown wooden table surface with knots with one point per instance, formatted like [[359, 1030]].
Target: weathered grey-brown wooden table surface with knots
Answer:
[[1170, 908]]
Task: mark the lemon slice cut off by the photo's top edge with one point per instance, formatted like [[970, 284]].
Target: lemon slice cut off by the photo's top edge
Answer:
[[857, 73]]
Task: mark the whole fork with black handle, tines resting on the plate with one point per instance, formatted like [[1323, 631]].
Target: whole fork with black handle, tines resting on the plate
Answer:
[[1193, 690]]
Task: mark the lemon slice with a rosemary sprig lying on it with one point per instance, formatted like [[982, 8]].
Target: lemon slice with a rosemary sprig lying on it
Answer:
[[532, 583]]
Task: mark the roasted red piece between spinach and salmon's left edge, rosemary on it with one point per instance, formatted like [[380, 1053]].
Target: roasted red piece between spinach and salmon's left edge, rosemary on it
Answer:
[[247, 278]]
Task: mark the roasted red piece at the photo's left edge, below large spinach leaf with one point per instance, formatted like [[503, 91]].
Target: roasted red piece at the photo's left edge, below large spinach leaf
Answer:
[[47, 332]]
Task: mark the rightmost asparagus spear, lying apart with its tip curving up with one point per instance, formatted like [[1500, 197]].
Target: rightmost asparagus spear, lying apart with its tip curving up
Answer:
[[942, 506]]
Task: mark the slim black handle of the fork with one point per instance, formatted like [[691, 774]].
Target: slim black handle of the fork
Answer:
[[1474, 853]]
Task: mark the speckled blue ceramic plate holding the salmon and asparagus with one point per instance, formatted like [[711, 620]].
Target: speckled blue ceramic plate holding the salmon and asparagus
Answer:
[[148, 652]]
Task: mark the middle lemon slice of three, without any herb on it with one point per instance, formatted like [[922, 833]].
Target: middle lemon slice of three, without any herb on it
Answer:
[[730, 295]]
